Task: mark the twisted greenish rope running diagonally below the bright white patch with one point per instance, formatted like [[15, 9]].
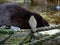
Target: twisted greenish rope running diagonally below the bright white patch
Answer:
[[45, 39]]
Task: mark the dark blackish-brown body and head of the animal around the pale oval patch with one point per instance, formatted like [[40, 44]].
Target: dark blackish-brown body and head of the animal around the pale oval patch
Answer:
[[16, 15]]
